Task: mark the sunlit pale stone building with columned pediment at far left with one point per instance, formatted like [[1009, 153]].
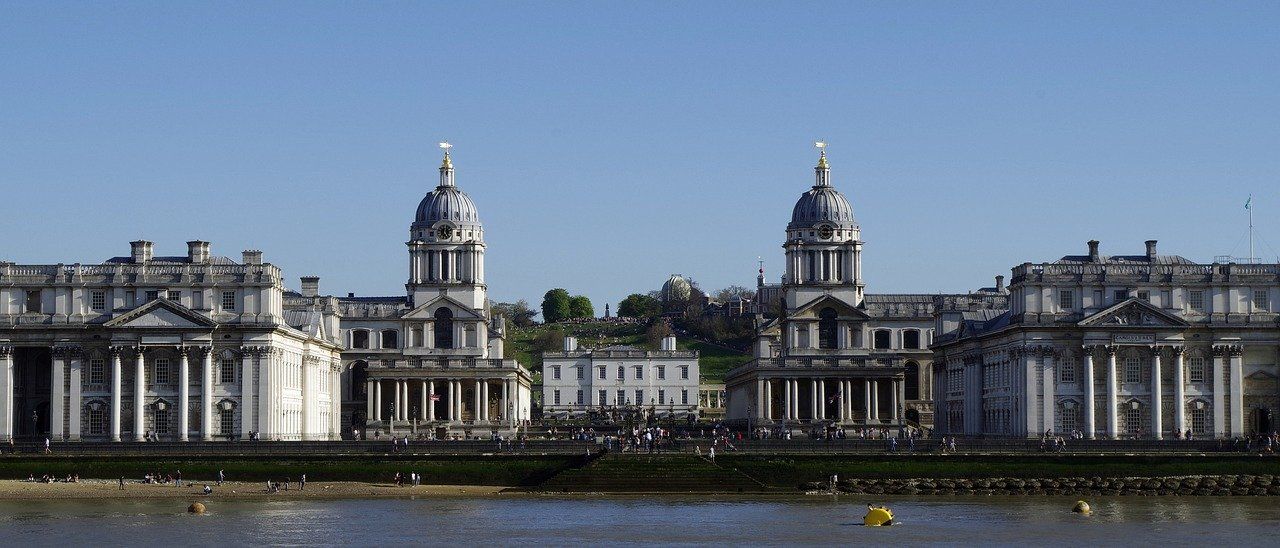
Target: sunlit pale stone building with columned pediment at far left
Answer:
[[182, 348]]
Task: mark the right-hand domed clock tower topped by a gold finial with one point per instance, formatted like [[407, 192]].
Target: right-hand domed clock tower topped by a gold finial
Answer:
[[824, 245]]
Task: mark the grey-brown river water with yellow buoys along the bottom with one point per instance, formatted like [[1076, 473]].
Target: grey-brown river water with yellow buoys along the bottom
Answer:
[[646, 522]]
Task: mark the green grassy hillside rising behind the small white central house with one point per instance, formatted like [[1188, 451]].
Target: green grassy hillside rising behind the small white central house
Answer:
[[714, 362]]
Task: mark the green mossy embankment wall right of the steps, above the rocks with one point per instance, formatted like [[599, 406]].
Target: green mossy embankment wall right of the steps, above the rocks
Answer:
[[792, 471]]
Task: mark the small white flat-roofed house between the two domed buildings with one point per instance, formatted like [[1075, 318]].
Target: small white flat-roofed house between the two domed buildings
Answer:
[[577, 381]]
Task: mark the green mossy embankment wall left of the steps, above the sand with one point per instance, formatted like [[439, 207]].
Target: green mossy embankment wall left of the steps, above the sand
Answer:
[[472, 471]]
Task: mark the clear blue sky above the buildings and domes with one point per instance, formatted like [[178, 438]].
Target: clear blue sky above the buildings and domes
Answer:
[[611, 144]]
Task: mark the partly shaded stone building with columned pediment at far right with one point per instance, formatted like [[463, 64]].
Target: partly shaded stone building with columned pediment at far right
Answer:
[[1139, 346]]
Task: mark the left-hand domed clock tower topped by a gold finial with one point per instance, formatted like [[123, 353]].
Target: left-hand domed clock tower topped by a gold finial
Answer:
[[446, 246]]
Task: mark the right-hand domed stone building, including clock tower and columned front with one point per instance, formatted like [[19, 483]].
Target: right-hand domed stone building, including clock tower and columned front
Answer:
[[825, 350]]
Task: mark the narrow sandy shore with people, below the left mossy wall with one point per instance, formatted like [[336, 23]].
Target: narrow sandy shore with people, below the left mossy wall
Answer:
[[26, 491]]
